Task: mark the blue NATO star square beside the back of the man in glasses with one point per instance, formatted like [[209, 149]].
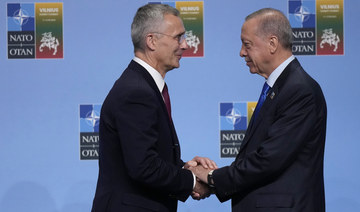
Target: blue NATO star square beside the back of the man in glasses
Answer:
[[89, 117]]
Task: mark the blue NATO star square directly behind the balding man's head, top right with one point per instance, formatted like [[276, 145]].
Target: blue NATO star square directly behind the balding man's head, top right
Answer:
[[302, 13]]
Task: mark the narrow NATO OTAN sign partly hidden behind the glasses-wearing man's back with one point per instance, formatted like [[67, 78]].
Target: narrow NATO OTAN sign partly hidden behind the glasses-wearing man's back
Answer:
[[89, 131]]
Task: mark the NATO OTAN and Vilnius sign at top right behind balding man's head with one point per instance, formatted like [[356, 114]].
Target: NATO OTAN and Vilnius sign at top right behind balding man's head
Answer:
[[318, 27]]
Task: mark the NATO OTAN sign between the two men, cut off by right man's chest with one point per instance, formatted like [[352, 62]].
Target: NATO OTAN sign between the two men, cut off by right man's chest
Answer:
[[234, 120]]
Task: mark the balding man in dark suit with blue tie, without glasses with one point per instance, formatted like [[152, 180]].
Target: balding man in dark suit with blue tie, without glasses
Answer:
[[280, 162]]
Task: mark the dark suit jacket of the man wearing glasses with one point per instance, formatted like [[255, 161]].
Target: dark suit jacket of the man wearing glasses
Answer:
[[139, 155]]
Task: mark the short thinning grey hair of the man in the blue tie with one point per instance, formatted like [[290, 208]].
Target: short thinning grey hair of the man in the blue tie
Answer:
[[273, 22]]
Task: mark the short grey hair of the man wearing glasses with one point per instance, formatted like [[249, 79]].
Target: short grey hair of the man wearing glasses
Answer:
[[149, 18]]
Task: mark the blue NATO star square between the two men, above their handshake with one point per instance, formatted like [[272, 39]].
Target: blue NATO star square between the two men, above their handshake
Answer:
[[233, 116]]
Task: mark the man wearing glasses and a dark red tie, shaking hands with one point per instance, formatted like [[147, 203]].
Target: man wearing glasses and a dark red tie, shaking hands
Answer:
[[140, 168]]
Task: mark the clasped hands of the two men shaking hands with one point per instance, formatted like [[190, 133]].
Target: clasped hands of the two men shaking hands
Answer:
[[200, 167]]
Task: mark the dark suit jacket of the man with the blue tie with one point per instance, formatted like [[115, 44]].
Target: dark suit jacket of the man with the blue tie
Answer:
[[280, 163]]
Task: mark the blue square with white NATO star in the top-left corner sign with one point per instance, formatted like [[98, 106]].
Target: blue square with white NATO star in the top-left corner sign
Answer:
[[21, 17]]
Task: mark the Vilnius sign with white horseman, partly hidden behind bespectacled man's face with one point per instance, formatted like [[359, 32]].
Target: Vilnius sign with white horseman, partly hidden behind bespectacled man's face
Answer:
[[192, 15]]
